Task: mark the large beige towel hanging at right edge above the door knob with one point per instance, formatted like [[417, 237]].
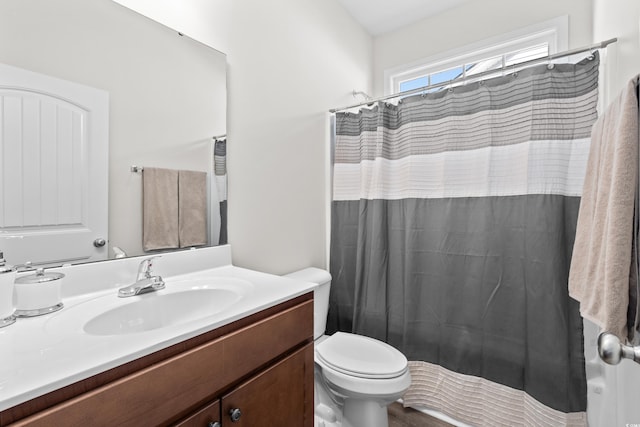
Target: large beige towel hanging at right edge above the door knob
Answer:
[[599, 275]]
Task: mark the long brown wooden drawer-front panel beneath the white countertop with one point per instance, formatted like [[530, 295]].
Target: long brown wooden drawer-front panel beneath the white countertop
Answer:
[[169, 390]]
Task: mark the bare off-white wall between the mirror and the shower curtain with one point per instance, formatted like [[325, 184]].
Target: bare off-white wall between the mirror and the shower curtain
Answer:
[[289, 62]]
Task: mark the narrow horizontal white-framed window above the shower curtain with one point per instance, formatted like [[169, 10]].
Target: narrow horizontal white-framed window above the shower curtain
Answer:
[[494, 54]]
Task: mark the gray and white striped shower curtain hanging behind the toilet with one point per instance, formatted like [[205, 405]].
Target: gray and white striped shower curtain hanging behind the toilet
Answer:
[[453, 220]]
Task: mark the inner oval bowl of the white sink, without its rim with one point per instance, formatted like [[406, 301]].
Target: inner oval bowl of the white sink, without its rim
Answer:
[[153, 311]]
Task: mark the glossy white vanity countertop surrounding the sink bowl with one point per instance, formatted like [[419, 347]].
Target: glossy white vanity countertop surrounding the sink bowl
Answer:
[[42, 354]]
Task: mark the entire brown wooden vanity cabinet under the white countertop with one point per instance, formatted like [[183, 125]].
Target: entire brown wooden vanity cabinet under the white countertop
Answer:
[[261, 366]]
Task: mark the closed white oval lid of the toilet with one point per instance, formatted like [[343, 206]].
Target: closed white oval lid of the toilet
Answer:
[[361, 356]]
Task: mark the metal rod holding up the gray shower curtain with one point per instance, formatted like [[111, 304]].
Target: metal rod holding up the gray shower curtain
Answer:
[[371, 101]]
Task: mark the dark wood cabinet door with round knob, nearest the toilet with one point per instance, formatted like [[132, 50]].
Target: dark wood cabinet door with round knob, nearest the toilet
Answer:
[[281, 395]]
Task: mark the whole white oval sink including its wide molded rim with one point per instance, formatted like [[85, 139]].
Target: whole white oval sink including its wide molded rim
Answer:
[[179, 303]]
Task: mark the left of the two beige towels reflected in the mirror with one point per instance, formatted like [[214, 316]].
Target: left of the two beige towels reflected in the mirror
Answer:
[[159, 209]]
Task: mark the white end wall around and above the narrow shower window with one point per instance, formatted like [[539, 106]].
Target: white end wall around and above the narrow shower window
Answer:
[[470, 23]]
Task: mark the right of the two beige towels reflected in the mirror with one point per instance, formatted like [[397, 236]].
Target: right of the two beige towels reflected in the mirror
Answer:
[[192, 207]]
